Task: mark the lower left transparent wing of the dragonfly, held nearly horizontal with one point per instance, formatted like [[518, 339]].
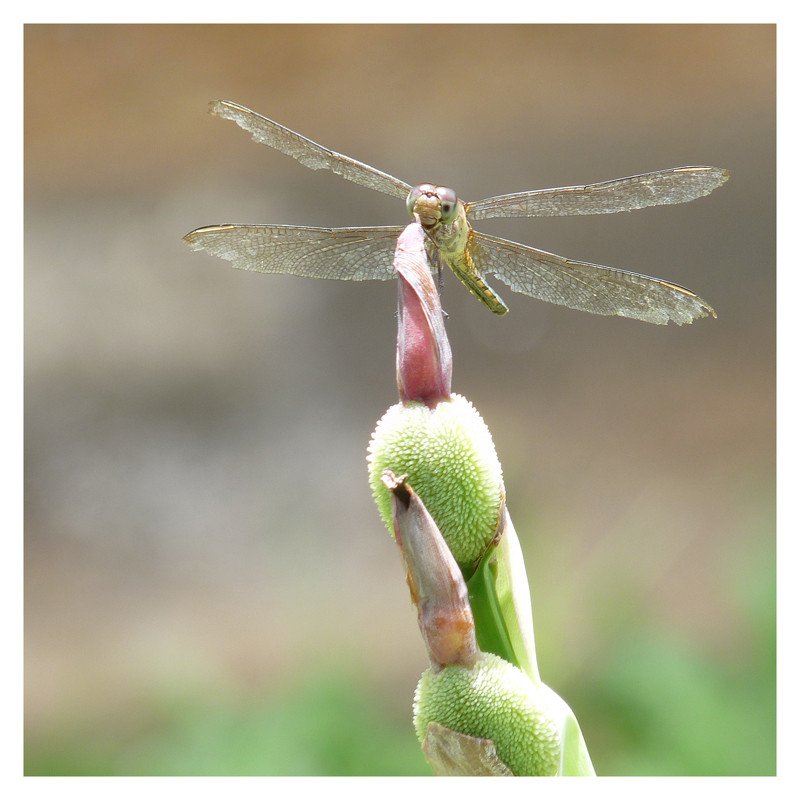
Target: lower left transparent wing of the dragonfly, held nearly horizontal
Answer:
[[354, 254]]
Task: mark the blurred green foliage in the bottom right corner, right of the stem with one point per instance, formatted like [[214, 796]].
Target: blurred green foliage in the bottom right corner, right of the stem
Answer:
[[667, 706]]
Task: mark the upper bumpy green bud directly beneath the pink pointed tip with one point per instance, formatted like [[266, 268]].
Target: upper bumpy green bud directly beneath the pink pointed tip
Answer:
[[447, 456]]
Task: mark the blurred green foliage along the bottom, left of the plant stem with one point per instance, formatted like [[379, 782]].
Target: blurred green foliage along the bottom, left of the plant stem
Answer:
[[325, 727]]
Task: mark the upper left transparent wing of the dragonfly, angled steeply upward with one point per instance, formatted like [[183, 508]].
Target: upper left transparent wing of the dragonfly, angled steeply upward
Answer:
[[308, 153]]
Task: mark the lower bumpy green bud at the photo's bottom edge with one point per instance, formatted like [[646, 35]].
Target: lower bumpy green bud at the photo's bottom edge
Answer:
[[494, 700]]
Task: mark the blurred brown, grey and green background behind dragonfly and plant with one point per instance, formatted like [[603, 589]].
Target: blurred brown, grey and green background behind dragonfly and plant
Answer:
[[208, 586]]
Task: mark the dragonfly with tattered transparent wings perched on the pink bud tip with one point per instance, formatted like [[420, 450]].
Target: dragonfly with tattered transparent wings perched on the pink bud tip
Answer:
[[366, 253]]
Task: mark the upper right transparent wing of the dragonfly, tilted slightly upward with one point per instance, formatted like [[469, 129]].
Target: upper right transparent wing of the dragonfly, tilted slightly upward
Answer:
[[679, 185]]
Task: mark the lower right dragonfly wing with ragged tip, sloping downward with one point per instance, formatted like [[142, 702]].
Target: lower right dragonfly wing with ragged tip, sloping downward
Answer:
[[583, 286]]
